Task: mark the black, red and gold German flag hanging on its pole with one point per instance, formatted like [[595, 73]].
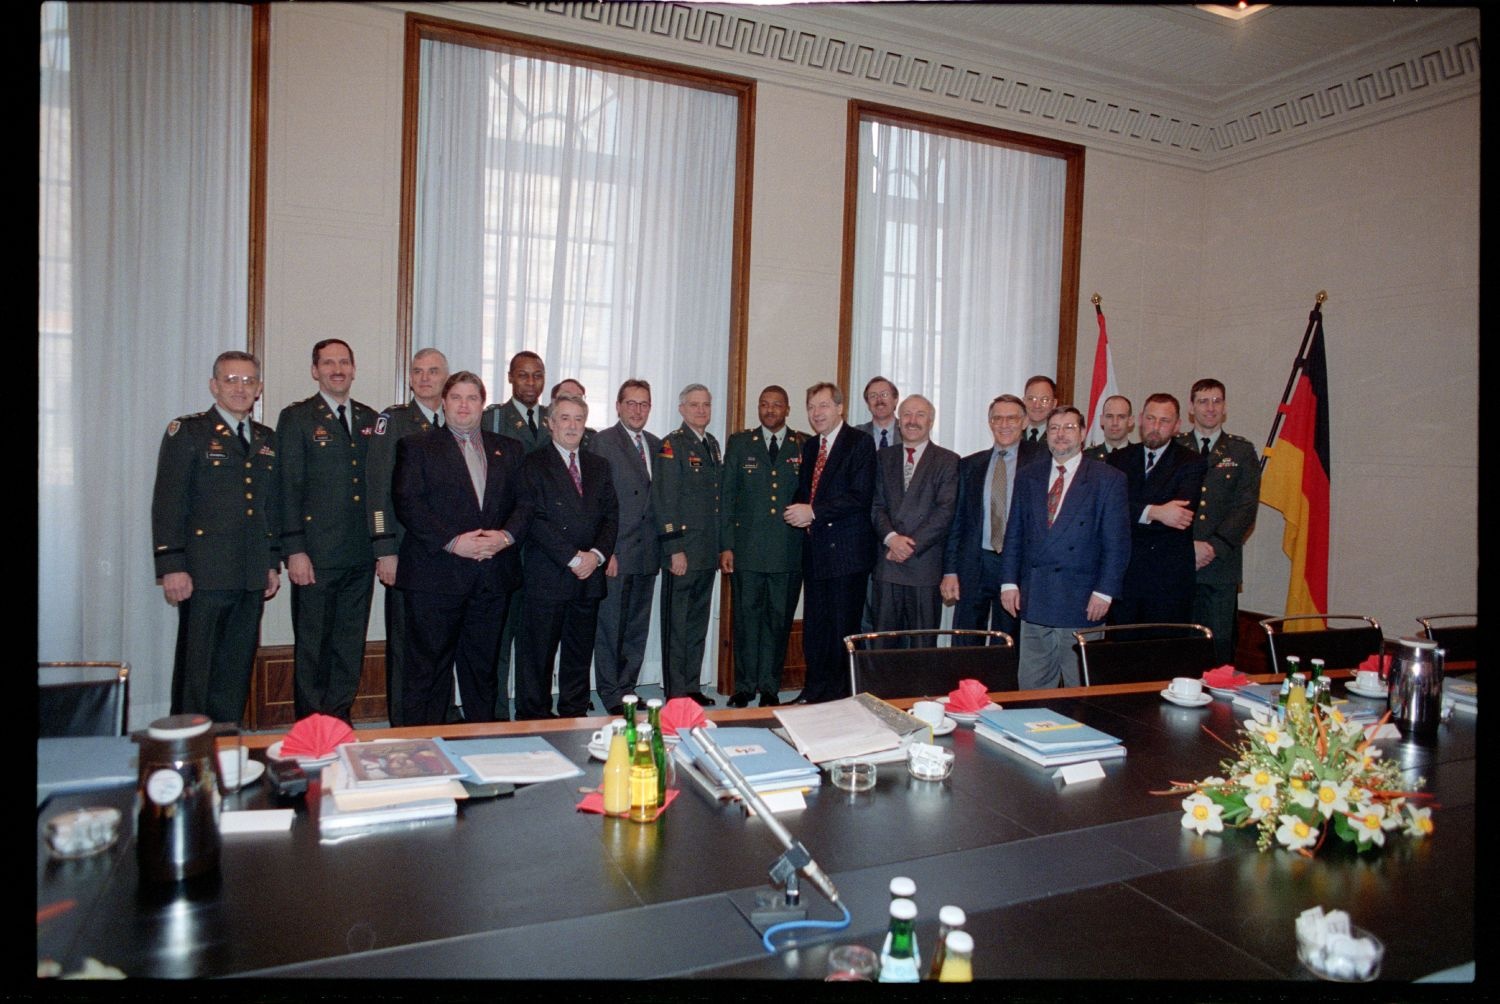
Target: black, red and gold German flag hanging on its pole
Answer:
[[1297, 475]]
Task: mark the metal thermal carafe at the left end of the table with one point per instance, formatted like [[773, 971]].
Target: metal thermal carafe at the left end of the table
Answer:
[[179, 795]]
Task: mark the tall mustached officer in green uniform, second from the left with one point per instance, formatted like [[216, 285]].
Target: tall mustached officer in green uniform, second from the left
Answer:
[[325, 445]]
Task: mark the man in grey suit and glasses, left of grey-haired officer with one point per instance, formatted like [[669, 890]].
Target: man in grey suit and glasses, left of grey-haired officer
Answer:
[[625, 615]]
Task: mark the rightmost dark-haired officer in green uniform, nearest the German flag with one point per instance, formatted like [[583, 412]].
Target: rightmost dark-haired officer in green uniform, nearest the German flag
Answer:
[[1226, 514]]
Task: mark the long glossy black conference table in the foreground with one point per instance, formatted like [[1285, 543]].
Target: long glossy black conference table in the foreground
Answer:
[[1088, 882]]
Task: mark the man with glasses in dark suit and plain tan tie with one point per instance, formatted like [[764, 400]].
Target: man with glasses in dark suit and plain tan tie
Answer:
[[973, 555]]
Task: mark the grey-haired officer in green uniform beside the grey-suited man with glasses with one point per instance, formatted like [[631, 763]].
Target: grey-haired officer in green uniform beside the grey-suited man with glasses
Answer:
[[685, 490]]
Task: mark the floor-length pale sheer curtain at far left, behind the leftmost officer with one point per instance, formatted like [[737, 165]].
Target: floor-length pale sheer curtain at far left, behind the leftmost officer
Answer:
[[143, 260]]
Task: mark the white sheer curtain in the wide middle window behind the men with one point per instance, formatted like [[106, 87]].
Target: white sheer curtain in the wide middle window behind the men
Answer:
[[584, 215]]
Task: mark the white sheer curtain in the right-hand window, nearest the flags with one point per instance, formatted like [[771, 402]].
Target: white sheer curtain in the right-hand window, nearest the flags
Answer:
[[958, 272]]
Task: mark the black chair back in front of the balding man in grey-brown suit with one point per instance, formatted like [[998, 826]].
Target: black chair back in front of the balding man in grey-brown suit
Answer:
[[881, 667]]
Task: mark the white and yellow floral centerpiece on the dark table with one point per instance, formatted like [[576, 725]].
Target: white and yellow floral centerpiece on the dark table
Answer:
[[1300, 777]]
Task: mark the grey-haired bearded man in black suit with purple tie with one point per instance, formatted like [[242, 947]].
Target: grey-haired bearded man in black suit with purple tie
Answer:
[[572, 538]]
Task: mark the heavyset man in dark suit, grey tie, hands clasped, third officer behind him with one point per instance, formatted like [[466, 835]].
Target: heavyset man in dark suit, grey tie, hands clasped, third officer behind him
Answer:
[[458, 494]]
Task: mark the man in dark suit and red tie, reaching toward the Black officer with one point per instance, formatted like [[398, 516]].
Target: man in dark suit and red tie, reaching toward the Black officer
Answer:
[[833, 505]]
